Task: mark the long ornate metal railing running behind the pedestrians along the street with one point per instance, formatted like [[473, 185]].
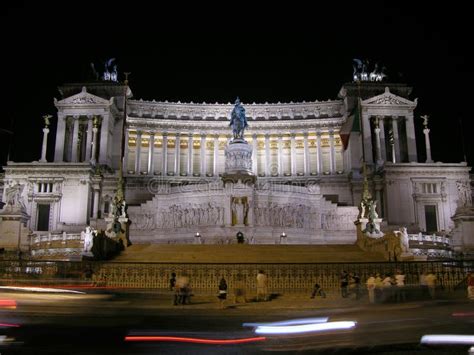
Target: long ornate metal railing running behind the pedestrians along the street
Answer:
[[282, 278]]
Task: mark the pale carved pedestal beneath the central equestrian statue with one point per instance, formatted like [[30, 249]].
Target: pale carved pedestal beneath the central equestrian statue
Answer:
[[238, 162]]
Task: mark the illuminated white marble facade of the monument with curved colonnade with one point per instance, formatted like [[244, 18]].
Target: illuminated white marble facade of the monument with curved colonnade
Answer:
[[306, 157]]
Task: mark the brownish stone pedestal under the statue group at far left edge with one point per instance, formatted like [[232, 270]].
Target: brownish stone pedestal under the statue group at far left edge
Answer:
[[13, 231]]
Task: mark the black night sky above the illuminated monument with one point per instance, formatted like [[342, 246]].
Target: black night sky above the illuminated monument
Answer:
[[213, 53]]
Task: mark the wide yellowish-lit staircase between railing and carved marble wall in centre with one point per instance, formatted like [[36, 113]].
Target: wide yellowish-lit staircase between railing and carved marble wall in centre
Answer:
[[245, 253]]
